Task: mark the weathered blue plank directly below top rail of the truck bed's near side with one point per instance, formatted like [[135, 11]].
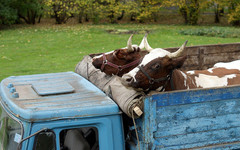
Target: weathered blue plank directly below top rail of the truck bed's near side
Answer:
[[197, 110]]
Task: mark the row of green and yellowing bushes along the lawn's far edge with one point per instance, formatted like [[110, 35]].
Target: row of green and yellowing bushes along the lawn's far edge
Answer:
[[143, 11]]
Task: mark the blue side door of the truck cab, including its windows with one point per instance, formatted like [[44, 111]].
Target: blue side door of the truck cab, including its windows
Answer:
[[81, 134]]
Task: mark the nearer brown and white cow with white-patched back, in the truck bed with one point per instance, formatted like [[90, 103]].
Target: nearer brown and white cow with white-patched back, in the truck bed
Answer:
[[160, 70]]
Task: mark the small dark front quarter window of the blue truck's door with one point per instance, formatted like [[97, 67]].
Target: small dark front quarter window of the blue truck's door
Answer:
[[45, 141]]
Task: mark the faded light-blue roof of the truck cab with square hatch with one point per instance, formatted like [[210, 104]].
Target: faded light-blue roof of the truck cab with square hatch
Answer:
[[86, 99]]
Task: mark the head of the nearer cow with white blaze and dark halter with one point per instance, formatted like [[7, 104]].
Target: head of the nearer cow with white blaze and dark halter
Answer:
[[155, 69]]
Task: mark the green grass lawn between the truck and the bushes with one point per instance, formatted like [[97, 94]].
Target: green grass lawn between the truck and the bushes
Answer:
[[47, 49]]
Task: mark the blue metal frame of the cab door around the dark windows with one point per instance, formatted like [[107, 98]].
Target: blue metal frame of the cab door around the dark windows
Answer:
[[109, 128]]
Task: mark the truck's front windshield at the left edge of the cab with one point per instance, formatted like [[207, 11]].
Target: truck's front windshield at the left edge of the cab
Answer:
[[10, 131]]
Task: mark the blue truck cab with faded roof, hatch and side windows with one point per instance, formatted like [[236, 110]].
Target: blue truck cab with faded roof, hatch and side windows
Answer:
[[57, 111]]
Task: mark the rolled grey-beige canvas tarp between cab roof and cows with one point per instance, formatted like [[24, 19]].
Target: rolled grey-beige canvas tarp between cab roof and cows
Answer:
[[128, 99]]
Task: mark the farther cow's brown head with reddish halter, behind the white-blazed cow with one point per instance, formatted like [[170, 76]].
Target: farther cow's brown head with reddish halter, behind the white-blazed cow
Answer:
[[120, 61]]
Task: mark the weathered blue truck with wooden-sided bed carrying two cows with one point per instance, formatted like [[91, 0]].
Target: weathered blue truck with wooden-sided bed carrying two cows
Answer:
[[60, 111]]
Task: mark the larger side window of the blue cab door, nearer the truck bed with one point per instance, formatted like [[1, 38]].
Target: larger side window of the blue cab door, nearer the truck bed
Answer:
[[79, 139]]
